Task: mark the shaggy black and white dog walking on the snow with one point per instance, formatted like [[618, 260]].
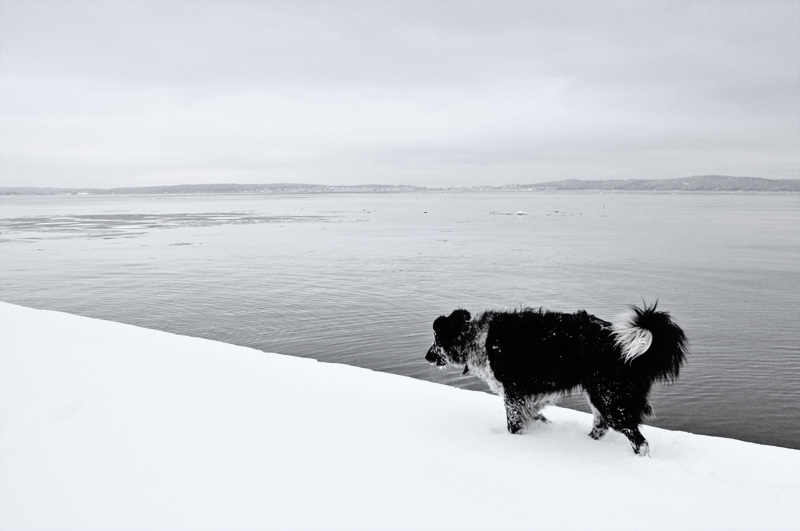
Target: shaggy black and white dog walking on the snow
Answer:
[[532, 358]]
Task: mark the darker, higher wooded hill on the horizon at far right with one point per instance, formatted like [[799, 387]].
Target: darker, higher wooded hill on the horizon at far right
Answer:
[[698, 183]]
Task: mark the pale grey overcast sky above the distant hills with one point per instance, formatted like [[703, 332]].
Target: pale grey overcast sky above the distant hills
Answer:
[[431, 93]]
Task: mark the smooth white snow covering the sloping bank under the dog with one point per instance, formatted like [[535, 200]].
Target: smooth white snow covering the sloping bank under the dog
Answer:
[[109, 426]]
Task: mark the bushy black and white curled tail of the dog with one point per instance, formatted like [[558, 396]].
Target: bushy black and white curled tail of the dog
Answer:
[[649, 341]]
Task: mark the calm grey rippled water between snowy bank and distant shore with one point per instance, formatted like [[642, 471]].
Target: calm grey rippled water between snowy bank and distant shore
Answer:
[[359, 278]]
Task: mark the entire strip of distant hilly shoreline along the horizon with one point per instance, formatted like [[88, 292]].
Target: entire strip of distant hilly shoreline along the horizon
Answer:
[[699, 183]]
